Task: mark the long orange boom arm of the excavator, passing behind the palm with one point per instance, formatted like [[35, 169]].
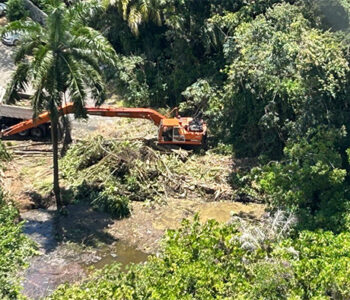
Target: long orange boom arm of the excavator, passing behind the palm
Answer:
[[141, 113]]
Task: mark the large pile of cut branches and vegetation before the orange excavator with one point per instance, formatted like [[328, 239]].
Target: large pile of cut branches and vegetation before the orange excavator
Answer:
[[110, 173]]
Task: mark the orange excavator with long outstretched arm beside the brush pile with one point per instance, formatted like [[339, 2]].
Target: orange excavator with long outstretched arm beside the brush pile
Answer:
[[172, 131]]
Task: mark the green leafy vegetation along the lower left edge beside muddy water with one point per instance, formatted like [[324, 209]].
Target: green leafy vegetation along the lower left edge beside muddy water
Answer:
[[15, 247]]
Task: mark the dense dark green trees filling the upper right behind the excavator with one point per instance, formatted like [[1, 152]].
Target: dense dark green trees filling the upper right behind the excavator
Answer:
[[270, 77]]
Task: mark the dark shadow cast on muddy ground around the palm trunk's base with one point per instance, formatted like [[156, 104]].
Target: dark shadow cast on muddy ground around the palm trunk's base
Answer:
[[77, 223]]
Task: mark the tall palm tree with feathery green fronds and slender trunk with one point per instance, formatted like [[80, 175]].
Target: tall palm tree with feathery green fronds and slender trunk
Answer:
[[62, 58]]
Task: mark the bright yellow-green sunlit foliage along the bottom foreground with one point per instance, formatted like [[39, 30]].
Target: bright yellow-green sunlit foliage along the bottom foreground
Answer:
[[209, 261]]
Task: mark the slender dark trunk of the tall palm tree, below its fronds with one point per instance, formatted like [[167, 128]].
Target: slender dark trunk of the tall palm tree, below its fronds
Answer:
[[54, 139]]
